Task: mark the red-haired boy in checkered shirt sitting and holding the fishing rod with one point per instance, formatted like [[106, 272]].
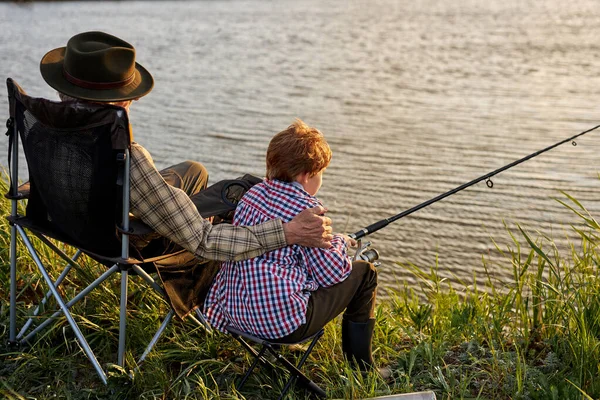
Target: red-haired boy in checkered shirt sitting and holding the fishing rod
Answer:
[[290, 293]]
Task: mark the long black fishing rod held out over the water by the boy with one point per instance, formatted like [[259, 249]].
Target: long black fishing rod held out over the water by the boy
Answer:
[[487, 177]]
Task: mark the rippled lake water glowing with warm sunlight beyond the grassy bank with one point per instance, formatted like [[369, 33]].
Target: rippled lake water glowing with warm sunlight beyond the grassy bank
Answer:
[[414, 97]]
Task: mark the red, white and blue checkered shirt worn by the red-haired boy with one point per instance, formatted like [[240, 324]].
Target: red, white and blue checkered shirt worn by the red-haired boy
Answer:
[[267, 295]]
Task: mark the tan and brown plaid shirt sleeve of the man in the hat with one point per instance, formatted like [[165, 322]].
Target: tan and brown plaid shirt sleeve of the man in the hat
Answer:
[[171, 213]]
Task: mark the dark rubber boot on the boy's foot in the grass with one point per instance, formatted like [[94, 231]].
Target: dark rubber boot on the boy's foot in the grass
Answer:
[[356, 345]]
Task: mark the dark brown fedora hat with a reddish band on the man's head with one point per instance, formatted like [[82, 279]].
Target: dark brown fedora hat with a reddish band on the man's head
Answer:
[[96, 66]]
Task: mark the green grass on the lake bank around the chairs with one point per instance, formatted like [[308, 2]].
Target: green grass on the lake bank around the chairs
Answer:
[[536, 336]]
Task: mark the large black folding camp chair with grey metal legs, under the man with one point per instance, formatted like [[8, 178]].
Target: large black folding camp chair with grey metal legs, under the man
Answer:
[[78, 193]]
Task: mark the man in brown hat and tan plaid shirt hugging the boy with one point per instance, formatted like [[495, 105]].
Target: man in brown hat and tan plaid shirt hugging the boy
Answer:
[[101, 68]]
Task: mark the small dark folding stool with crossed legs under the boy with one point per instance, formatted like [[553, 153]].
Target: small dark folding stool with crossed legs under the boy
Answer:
[[273, 347]]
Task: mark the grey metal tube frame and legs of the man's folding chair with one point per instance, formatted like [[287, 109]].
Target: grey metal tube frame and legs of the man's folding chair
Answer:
[[123, 264]]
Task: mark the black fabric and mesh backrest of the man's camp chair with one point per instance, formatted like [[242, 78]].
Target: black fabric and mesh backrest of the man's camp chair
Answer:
[[73, 151]]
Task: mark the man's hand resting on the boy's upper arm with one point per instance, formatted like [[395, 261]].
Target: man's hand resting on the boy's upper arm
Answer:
[[309, 228]]
